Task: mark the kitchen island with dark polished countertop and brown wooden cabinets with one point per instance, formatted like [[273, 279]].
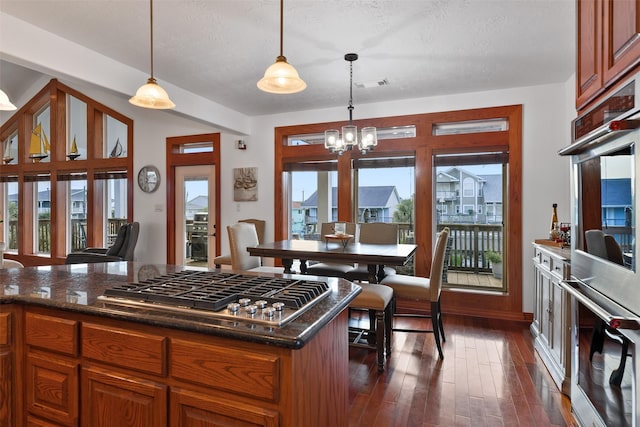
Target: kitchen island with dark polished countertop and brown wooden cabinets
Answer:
[[68, 358]]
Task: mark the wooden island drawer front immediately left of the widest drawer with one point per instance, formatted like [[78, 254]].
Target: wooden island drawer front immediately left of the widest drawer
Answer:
[[119, 347]]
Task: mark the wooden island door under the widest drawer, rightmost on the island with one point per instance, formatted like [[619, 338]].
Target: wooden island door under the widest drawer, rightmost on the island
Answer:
[[190, 409]]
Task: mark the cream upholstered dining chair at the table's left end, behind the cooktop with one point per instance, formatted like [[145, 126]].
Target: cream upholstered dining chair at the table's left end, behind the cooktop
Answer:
[[241, 236]]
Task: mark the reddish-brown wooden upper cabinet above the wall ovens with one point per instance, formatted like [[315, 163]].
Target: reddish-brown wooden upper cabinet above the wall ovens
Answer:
[[608, 45]]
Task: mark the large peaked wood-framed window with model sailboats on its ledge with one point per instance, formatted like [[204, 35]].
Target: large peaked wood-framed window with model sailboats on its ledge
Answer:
[[67, 184]]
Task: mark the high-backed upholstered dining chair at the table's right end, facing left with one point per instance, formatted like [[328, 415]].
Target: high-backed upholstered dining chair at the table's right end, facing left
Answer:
[[423, 289]]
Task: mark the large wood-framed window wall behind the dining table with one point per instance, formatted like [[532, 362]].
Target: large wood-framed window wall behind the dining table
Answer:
[[470, 137]]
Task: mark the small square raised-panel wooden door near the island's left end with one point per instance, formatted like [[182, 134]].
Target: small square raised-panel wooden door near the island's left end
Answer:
[[52, 388]]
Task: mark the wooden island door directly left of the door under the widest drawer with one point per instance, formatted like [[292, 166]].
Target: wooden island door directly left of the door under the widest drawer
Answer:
[[111, 399]]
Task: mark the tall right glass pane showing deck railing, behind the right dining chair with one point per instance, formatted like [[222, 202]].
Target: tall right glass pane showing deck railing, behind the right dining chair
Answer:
[[469, 200]]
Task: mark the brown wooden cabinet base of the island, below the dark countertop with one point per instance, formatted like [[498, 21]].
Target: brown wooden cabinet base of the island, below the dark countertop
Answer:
[[83, 370]]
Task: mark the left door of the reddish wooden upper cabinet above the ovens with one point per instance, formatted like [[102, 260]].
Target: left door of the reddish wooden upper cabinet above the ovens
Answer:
[[589, 79]]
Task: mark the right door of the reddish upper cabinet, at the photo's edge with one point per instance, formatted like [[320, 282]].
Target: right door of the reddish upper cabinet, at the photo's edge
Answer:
[[621, 43]]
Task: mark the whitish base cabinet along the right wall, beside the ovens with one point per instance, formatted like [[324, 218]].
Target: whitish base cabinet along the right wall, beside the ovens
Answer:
[[552, 314]]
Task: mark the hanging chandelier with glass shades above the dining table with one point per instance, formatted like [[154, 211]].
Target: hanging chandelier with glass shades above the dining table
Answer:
[[368, 137]]
